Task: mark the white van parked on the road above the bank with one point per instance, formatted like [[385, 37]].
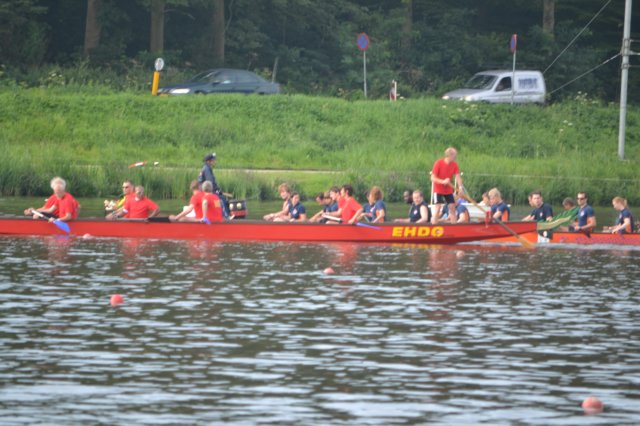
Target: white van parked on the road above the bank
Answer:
[[495, 87]]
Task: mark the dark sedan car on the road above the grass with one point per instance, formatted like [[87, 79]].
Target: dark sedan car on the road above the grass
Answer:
[[223, 81]]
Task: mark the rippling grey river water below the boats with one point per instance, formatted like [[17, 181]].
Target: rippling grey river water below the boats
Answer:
[[256, 334]]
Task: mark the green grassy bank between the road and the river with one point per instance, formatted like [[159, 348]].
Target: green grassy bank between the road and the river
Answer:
[[90, 138]]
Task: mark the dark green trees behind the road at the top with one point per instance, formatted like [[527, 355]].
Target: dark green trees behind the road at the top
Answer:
[[429, 46]]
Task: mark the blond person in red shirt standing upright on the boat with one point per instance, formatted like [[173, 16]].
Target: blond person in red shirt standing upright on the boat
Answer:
[[444, 170]]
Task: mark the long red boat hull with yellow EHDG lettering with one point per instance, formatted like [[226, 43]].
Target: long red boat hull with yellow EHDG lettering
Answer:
[[263, 231]]
